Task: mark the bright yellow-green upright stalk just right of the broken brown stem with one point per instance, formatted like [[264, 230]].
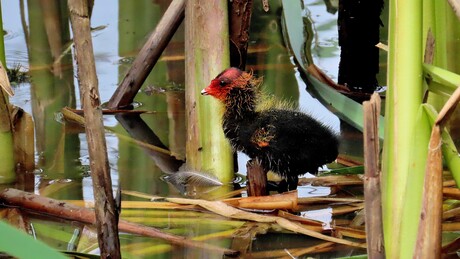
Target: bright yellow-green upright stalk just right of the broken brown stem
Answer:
[[403, 100]]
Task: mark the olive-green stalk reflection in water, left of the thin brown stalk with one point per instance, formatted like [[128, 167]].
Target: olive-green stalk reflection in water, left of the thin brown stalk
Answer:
[[52, 87]]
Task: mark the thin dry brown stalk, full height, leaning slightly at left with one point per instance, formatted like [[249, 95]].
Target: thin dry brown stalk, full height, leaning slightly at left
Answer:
[[105, 208]]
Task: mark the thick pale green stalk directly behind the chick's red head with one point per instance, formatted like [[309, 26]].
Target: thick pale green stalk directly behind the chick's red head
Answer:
[[207, 54]]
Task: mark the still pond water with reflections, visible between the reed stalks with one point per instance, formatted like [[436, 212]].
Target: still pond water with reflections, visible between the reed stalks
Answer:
[[62, 161]]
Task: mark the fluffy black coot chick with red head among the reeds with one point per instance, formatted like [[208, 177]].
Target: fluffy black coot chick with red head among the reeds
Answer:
[[286, 141]]
